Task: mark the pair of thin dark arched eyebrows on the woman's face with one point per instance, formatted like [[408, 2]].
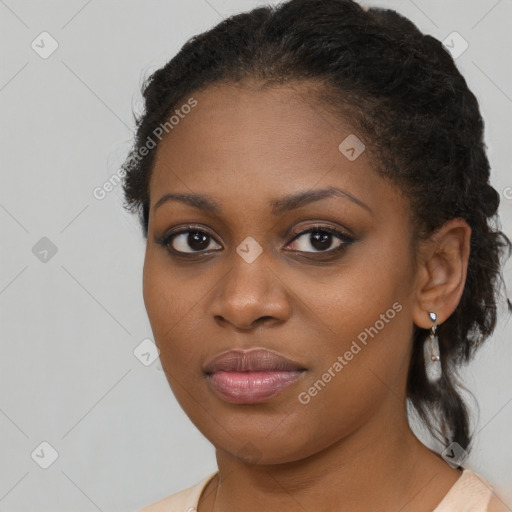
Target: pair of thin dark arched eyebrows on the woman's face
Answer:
[[278, 206]]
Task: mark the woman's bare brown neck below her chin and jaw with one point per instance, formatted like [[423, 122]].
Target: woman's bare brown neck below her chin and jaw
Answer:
[[380, 466]]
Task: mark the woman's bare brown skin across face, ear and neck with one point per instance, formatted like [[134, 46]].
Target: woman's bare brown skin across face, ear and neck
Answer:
[[350, 448]]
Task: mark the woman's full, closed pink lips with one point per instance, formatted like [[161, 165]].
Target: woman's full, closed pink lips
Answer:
[[245, 377]]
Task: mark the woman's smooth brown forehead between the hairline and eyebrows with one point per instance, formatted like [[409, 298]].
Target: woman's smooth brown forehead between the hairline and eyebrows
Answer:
[[241, 142]]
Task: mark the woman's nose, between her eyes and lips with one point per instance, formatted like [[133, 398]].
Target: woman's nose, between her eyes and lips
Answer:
[[251, 294]]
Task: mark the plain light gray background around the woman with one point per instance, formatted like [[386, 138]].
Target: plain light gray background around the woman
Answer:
[[70, 325]]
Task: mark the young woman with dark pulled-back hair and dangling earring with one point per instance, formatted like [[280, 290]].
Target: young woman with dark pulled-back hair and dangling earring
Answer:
[[314, 189]]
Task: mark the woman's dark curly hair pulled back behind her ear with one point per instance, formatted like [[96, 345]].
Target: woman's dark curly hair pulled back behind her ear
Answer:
[[421, 125]]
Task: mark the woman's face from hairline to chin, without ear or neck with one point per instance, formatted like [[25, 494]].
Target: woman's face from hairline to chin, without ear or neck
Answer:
[[327, 283]]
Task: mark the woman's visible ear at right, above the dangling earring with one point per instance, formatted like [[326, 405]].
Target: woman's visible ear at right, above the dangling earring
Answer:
[[441, 272]]
